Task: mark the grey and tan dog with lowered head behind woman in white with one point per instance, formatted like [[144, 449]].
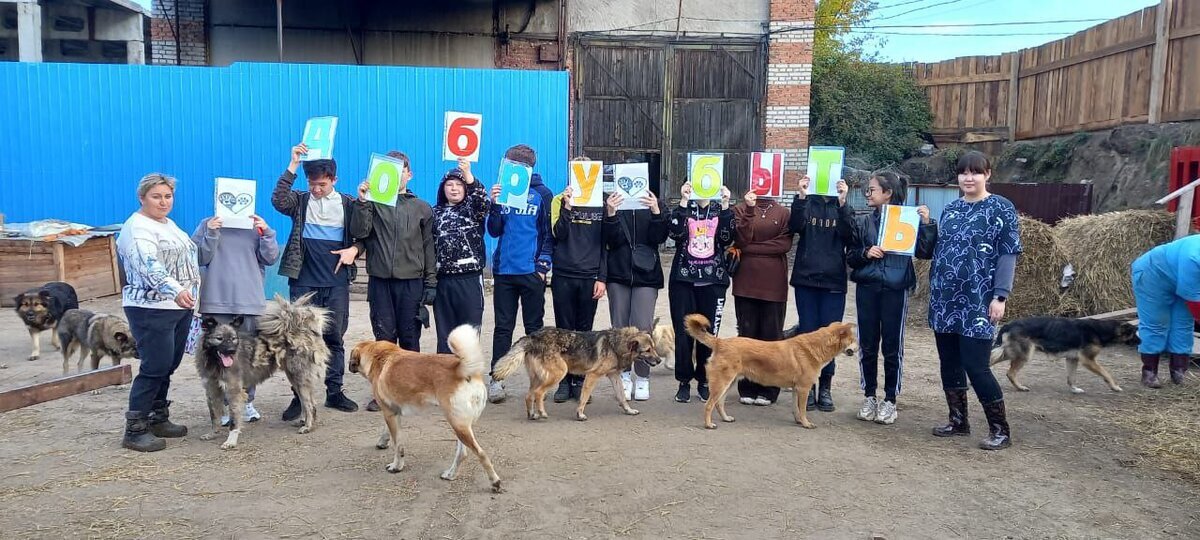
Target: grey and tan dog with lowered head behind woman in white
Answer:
[[98, 335]]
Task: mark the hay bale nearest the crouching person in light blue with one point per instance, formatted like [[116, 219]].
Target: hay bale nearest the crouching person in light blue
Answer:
[[1102, 248]]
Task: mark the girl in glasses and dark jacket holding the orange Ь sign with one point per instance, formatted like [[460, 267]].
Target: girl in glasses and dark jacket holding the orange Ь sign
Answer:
[[883, 286]]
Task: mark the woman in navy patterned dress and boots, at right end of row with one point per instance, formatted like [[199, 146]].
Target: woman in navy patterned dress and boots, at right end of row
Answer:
[[975, 257]]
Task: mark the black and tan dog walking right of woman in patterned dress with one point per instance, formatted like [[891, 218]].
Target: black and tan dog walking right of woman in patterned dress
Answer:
[[1078, 341]]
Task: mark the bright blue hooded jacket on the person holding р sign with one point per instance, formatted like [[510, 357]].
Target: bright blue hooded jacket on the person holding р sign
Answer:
[[526, 244]]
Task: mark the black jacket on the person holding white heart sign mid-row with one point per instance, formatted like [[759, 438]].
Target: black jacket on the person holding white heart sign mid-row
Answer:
[[644, 229]]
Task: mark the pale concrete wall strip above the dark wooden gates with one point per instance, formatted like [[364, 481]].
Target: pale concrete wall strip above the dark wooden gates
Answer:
[[705, 17]]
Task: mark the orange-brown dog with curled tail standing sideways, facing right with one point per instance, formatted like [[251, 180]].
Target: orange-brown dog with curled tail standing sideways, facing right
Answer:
[[795, 363]]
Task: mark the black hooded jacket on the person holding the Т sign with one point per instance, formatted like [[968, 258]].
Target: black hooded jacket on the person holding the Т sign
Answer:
[[825, 230]]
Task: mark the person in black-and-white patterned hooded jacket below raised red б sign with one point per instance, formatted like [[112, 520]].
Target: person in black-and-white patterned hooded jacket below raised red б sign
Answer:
[[459, 233]]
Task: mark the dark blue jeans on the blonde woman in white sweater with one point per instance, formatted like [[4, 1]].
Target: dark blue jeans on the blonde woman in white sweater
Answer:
[[161, 337]]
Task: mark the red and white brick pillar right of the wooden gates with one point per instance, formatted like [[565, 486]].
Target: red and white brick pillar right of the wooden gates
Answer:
[[789, 86]]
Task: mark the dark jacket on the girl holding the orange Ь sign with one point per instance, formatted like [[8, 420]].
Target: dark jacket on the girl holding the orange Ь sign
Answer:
[[893, 272]]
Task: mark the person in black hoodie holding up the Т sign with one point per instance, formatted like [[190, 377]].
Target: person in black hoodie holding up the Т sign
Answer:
[[825, 229]]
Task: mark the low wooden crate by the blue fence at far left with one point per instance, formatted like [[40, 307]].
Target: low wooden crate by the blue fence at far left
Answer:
[[92, 268]]
